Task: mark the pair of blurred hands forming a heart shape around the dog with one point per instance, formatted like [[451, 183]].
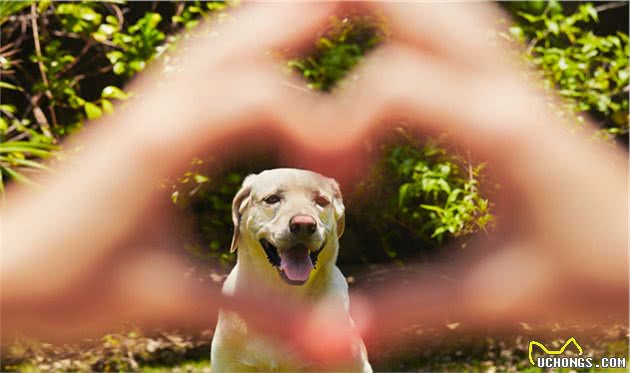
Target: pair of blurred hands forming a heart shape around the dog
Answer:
[[229, 94]]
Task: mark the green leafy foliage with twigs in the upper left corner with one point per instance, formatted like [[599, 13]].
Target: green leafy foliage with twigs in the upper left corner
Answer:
[[71, 69]]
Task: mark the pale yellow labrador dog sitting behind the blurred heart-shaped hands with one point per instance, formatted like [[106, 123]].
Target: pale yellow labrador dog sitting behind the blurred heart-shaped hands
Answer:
[[287, 224]]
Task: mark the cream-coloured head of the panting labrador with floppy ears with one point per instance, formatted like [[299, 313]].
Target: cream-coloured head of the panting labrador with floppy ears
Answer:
[[291, 216]]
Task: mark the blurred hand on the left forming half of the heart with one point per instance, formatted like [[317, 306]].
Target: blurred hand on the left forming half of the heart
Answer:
[[93, 247]]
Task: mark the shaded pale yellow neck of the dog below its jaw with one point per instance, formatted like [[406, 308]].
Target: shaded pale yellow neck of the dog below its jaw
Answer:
[[254, 270]]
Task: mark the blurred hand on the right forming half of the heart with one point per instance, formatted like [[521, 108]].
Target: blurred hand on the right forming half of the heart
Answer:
[[559, 250]]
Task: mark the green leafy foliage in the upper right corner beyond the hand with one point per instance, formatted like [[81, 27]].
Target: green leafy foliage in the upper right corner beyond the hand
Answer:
[[589, 71]]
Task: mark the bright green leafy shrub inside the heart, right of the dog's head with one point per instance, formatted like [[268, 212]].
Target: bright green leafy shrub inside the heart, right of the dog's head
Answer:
[[435, 197]]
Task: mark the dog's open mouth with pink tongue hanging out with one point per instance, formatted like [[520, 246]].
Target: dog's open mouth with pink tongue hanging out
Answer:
[[294, 264]]
